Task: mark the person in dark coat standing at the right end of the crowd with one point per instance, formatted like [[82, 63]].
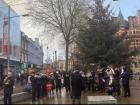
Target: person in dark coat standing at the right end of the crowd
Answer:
[[125, 82]]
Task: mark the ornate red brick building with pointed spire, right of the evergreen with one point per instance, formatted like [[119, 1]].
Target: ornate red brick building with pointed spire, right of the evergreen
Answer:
[[133, 34]]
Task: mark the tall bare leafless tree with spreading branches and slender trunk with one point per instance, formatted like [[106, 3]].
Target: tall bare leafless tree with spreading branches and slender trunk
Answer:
[[59, 15]]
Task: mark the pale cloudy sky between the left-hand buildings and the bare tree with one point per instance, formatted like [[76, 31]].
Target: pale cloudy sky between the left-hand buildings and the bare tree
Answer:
[[53, 43]]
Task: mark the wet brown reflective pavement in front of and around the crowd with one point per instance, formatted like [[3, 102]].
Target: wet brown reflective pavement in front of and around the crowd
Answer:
[[64, 98]]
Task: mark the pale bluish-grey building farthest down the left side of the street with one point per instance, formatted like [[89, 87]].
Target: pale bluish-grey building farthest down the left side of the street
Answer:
[[35, 53]]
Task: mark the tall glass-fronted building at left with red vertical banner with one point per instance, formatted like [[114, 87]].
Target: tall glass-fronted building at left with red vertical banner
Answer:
[[9, 17]]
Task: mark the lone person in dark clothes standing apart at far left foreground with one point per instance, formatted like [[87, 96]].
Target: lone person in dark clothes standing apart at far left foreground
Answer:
[[8, 88]]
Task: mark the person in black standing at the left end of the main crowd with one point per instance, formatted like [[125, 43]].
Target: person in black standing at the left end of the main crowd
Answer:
[[34, 86]]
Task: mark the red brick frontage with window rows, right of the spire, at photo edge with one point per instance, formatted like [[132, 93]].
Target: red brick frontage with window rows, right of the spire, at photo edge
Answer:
[[133, 35]]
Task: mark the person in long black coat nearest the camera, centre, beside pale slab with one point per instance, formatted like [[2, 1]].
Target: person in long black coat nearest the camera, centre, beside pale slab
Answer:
[[76, 84]]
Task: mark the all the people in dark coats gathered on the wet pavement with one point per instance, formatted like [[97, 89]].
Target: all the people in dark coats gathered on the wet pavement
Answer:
[[110, 79]]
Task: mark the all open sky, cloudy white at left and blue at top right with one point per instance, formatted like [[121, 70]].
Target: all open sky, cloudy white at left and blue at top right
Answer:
[[128, 7]]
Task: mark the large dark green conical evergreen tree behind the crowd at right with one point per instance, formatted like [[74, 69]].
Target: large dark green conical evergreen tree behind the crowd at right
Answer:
[[97, 40]]
